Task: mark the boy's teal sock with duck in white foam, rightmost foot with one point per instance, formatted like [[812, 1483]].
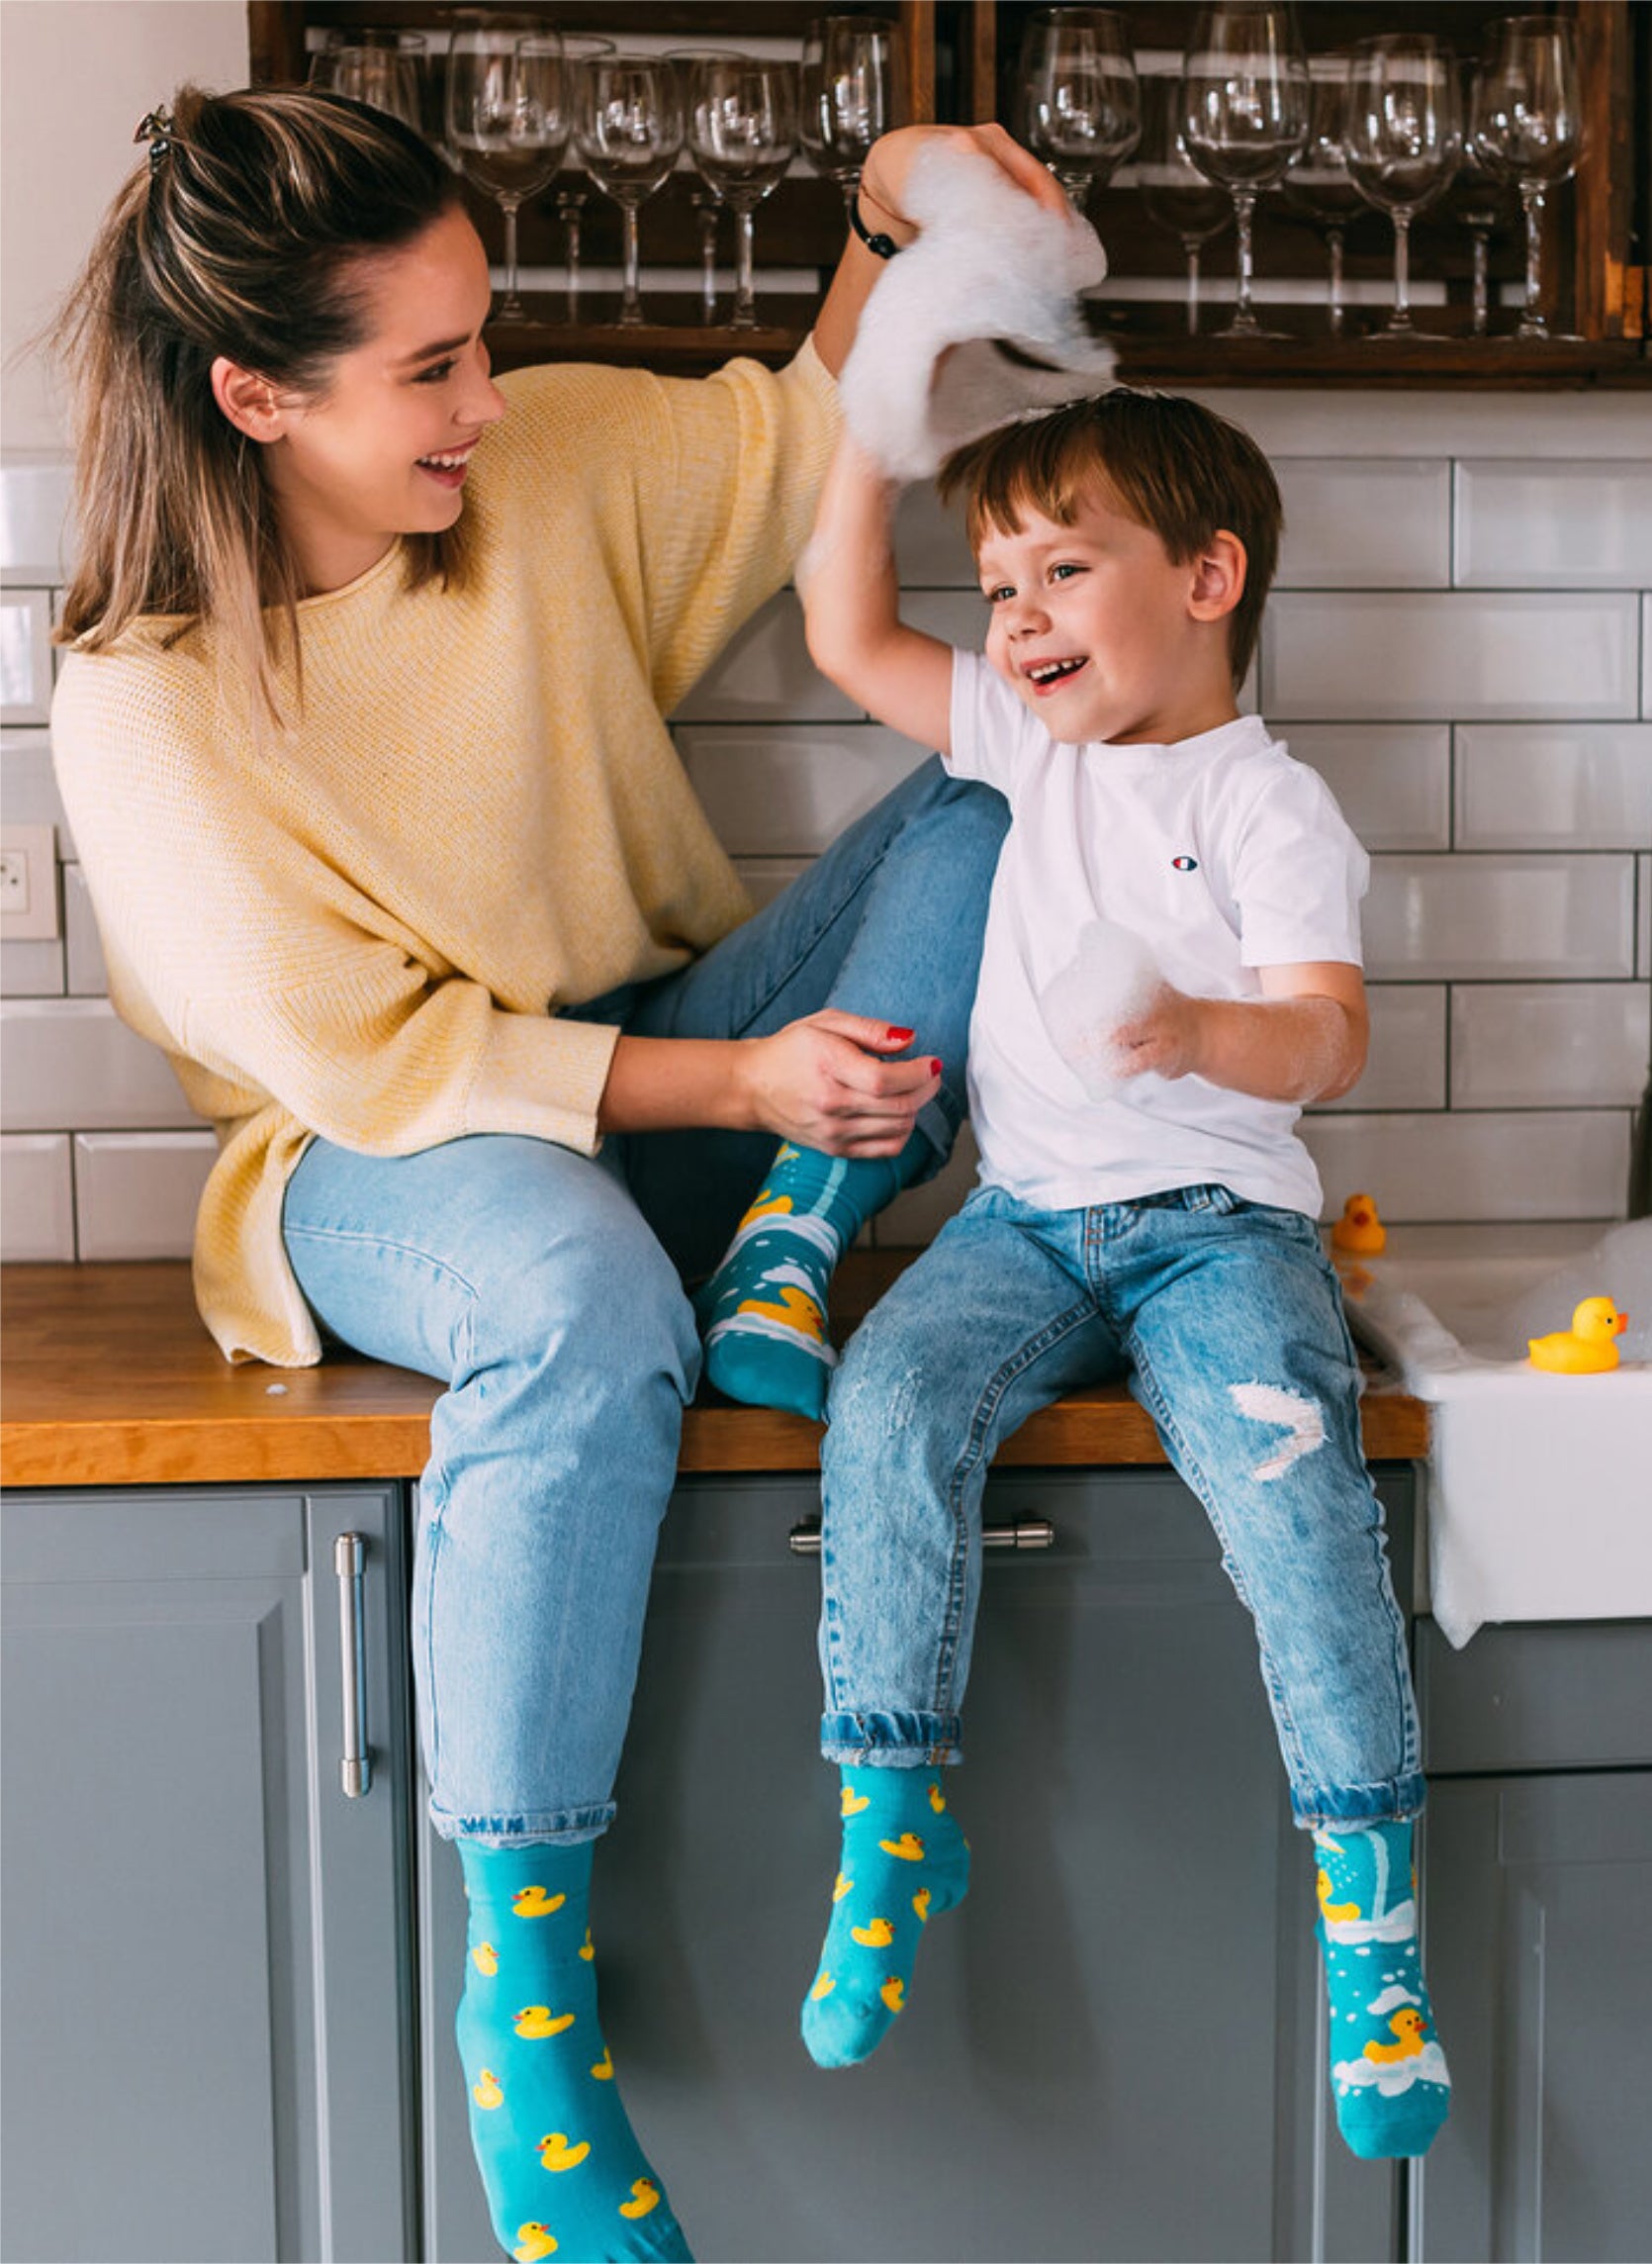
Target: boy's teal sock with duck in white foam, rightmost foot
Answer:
[[1388, 2075]]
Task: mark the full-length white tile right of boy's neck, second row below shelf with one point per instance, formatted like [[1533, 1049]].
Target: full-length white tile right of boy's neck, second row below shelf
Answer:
[[1449, 655]]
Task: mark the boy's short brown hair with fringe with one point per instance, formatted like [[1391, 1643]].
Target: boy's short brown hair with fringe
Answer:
[[1167, 463]]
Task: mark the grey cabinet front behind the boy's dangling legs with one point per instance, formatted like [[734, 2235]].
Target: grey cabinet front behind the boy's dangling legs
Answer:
[[1112, 2048]]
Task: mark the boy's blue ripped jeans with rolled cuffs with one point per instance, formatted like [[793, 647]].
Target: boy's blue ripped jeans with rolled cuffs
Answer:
[[1228, 1321]]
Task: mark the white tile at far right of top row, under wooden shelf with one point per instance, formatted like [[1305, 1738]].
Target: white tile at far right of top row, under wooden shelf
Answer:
[[1554, 526]]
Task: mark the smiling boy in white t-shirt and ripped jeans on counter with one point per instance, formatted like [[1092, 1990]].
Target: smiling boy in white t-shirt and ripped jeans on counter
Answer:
[[1144, 1203]]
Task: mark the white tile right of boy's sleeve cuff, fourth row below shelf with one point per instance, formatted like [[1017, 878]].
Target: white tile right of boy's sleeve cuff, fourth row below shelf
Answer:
[[1502, 916]]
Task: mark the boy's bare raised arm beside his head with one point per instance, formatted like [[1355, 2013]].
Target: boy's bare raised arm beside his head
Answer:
[[852, 608]]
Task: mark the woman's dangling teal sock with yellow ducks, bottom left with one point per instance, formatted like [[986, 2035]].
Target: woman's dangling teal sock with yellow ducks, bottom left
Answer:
[[562, 2170]]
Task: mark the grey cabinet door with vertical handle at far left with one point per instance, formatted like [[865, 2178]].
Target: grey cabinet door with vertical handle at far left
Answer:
[[207, 1944]]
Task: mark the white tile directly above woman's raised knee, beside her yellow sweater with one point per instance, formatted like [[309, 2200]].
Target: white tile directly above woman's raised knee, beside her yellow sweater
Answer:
[[791, 789]]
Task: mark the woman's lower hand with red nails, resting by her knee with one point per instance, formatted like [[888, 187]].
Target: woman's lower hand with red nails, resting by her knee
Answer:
[[827, 1083]]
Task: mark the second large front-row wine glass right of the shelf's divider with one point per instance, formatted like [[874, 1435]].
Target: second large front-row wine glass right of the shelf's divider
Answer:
[[1246, 117]]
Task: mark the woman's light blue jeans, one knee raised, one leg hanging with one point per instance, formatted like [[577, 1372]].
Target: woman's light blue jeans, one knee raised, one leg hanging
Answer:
[[547, 1292]]
